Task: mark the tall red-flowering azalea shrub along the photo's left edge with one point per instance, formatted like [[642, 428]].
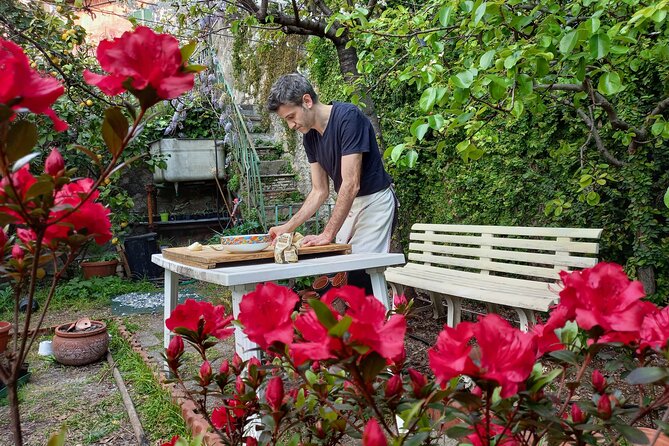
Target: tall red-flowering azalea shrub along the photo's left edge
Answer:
[[49, 216]]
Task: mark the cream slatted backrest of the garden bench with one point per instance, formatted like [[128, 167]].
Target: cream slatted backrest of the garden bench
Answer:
[[513, 251]]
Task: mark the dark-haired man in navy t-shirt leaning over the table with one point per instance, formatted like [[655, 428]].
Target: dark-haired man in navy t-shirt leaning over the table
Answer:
[[340, 144]]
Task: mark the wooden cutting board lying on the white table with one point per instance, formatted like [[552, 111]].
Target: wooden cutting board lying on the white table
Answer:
[[210, 258]]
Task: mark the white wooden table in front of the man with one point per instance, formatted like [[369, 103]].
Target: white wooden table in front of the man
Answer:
[[243, 279]]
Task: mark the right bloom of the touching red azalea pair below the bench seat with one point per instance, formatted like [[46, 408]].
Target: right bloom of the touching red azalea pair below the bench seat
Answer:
[[507, 354]]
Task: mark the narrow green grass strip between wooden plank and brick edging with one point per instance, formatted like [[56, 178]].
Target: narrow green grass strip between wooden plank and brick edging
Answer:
[[160, 417]]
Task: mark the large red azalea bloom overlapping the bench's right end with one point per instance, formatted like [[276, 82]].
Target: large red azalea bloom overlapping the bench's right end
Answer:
[[604, 296]]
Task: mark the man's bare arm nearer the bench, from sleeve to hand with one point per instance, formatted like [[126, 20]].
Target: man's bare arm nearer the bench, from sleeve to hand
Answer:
[[351, 169]]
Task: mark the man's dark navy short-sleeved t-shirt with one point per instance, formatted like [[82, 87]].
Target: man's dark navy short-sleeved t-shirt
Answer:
[[348, 131]]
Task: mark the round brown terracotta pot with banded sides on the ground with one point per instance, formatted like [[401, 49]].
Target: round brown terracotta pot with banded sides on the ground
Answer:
[[80, 347]]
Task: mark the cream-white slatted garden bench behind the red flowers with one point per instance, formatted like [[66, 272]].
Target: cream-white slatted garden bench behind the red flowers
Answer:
[[496, 265]]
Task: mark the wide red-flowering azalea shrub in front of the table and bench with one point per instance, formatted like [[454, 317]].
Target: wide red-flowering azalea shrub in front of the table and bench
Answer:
[[326, 376]]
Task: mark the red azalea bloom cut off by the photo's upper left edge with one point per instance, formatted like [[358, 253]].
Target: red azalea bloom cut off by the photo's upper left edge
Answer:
[[23, 87]]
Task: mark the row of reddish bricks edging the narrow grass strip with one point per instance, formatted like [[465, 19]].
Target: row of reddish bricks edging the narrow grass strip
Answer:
[[196, 423]]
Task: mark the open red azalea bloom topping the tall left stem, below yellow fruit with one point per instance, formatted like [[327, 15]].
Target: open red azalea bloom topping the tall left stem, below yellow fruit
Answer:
[[139, 60]]
